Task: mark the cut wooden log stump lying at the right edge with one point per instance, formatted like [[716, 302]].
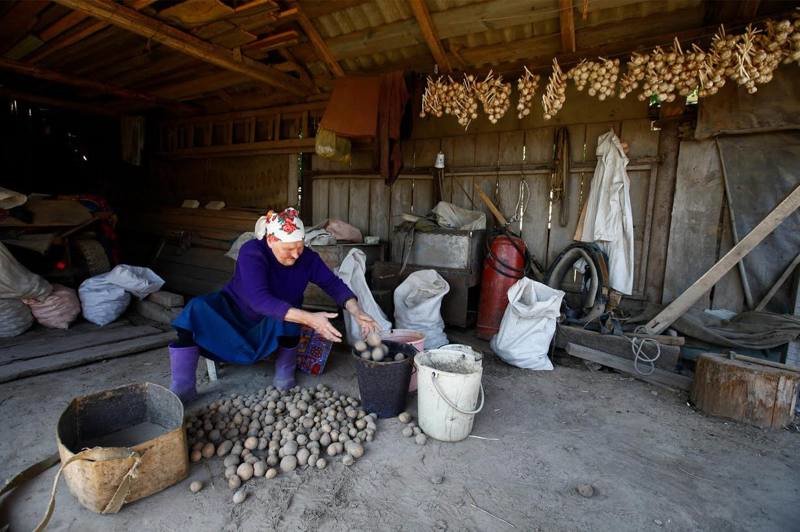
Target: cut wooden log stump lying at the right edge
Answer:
[[751, 393]]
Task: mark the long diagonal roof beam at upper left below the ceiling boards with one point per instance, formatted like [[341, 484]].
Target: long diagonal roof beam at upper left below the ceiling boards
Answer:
[[128, 19]]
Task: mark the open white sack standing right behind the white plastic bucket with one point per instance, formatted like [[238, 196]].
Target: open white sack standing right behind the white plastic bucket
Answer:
[[418, 304]]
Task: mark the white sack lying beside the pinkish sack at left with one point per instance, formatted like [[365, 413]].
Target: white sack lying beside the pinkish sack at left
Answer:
[[105, 297]]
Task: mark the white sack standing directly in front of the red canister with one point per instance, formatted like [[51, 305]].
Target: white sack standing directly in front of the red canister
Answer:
[[528, 325]]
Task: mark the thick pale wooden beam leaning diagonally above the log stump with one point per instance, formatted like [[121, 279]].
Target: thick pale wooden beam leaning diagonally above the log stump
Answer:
[[684, 302]]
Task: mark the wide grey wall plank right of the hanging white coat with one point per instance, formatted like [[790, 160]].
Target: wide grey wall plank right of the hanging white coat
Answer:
[[695, 218]]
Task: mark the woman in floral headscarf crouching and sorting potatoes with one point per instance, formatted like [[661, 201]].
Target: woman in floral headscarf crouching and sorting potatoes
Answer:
[[258, 312]]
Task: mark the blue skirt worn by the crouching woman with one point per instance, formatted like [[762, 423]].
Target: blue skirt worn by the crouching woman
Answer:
[[221, 329]]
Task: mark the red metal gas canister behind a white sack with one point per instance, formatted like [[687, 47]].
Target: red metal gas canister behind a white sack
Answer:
[[503, 266]]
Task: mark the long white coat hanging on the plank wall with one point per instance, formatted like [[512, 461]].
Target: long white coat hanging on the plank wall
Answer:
[[608, 219]]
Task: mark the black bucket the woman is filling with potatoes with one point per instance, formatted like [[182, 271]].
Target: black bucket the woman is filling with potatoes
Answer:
[[384, 385]]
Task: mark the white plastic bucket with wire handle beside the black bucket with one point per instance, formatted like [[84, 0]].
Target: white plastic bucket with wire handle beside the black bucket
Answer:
[[450, 393]]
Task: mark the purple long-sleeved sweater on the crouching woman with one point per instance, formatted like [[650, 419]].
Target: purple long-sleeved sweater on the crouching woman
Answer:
[[261, 286]]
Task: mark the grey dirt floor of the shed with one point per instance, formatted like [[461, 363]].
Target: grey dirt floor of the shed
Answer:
[[653, 461]]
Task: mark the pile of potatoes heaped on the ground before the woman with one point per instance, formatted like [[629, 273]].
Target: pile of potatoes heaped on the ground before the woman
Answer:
[[272, 431]]
